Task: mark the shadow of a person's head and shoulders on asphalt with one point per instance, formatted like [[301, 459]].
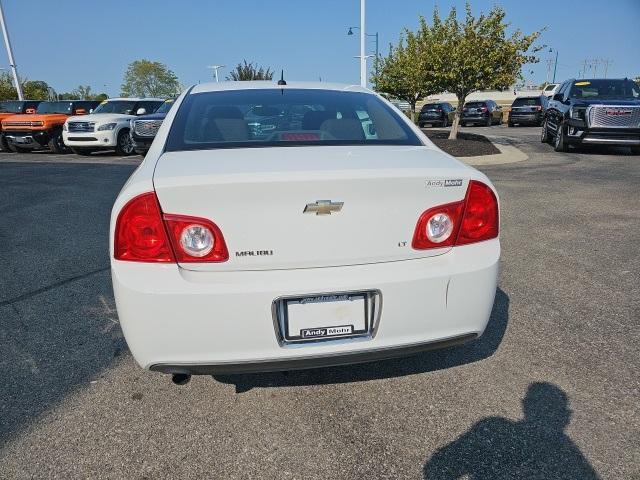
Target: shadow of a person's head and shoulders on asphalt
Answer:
[[535, 447]]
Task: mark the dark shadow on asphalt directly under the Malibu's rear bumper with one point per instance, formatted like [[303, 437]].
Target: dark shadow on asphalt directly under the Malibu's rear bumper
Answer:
[[428, 361]]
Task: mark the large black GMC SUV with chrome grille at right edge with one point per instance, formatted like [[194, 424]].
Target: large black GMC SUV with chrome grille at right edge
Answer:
[[599, 111]]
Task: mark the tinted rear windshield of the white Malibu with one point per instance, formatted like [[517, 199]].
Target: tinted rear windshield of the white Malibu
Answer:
[[285, 117]]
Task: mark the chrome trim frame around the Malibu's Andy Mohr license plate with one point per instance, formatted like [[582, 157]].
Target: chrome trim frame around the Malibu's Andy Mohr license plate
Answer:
[[373, 302]]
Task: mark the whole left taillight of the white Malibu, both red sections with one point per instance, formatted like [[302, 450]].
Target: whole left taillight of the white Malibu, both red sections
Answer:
[[144, 234]]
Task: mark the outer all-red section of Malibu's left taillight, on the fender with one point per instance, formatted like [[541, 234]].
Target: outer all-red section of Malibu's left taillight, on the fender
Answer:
[[140, 235]]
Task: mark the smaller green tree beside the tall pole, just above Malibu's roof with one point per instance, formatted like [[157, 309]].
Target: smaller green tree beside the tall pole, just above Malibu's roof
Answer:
[[407, 71]]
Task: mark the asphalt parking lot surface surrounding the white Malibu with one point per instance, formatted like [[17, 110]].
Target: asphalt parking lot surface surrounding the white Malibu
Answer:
[[549, 392]]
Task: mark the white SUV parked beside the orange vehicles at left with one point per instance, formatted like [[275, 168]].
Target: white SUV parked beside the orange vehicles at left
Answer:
[[107, 127]]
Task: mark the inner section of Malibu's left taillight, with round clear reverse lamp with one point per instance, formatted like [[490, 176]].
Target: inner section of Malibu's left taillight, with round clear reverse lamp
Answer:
[[196, 239]]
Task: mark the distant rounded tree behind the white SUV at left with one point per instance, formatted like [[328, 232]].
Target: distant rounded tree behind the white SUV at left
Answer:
[[145, 78]]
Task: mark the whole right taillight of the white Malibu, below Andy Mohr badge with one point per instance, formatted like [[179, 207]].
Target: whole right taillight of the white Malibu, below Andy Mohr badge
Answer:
[[471, 220]]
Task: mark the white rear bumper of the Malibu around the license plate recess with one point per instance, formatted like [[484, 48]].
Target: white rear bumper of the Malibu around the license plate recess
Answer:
[[179, 321]]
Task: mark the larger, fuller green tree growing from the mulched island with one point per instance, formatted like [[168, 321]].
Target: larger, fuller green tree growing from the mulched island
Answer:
[[478, 53]]
